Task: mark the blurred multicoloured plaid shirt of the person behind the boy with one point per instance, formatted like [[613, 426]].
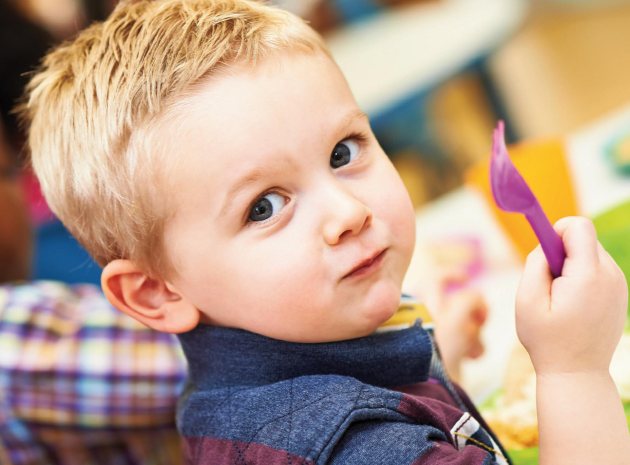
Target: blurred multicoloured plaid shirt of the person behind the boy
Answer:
[[83, 384]]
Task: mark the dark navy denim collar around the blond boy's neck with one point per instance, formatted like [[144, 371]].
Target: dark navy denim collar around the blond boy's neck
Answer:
[[226, 357]]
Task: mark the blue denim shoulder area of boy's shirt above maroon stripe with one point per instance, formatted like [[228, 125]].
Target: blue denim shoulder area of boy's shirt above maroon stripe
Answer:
[[309, 403]]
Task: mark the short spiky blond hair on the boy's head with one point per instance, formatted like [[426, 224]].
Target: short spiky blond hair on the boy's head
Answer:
[[92, 104]]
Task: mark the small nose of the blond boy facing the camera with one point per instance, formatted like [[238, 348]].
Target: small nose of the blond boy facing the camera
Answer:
[[346, 216]]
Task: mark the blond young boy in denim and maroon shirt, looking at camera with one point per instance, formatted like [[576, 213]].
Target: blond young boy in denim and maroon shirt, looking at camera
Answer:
[[210, 155]]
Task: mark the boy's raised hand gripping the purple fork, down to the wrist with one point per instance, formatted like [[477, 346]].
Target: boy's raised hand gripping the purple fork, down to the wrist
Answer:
[[573, 323]]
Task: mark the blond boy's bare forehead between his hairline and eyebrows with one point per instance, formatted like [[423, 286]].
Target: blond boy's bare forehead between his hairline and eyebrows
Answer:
[[263, 113]]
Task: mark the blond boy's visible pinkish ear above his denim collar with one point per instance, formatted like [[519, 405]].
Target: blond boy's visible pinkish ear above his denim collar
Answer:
[[151, 301]]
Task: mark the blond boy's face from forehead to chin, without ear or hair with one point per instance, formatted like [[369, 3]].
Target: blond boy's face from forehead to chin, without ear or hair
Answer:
[[290, 220]]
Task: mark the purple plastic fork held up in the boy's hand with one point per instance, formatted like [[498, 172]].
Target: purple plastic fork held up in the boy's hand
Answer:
[[512, 194]]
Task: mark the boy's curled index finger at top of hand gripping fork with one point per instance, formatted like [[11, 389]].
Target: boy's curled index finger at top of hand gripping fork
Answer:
[[580, 240]]
